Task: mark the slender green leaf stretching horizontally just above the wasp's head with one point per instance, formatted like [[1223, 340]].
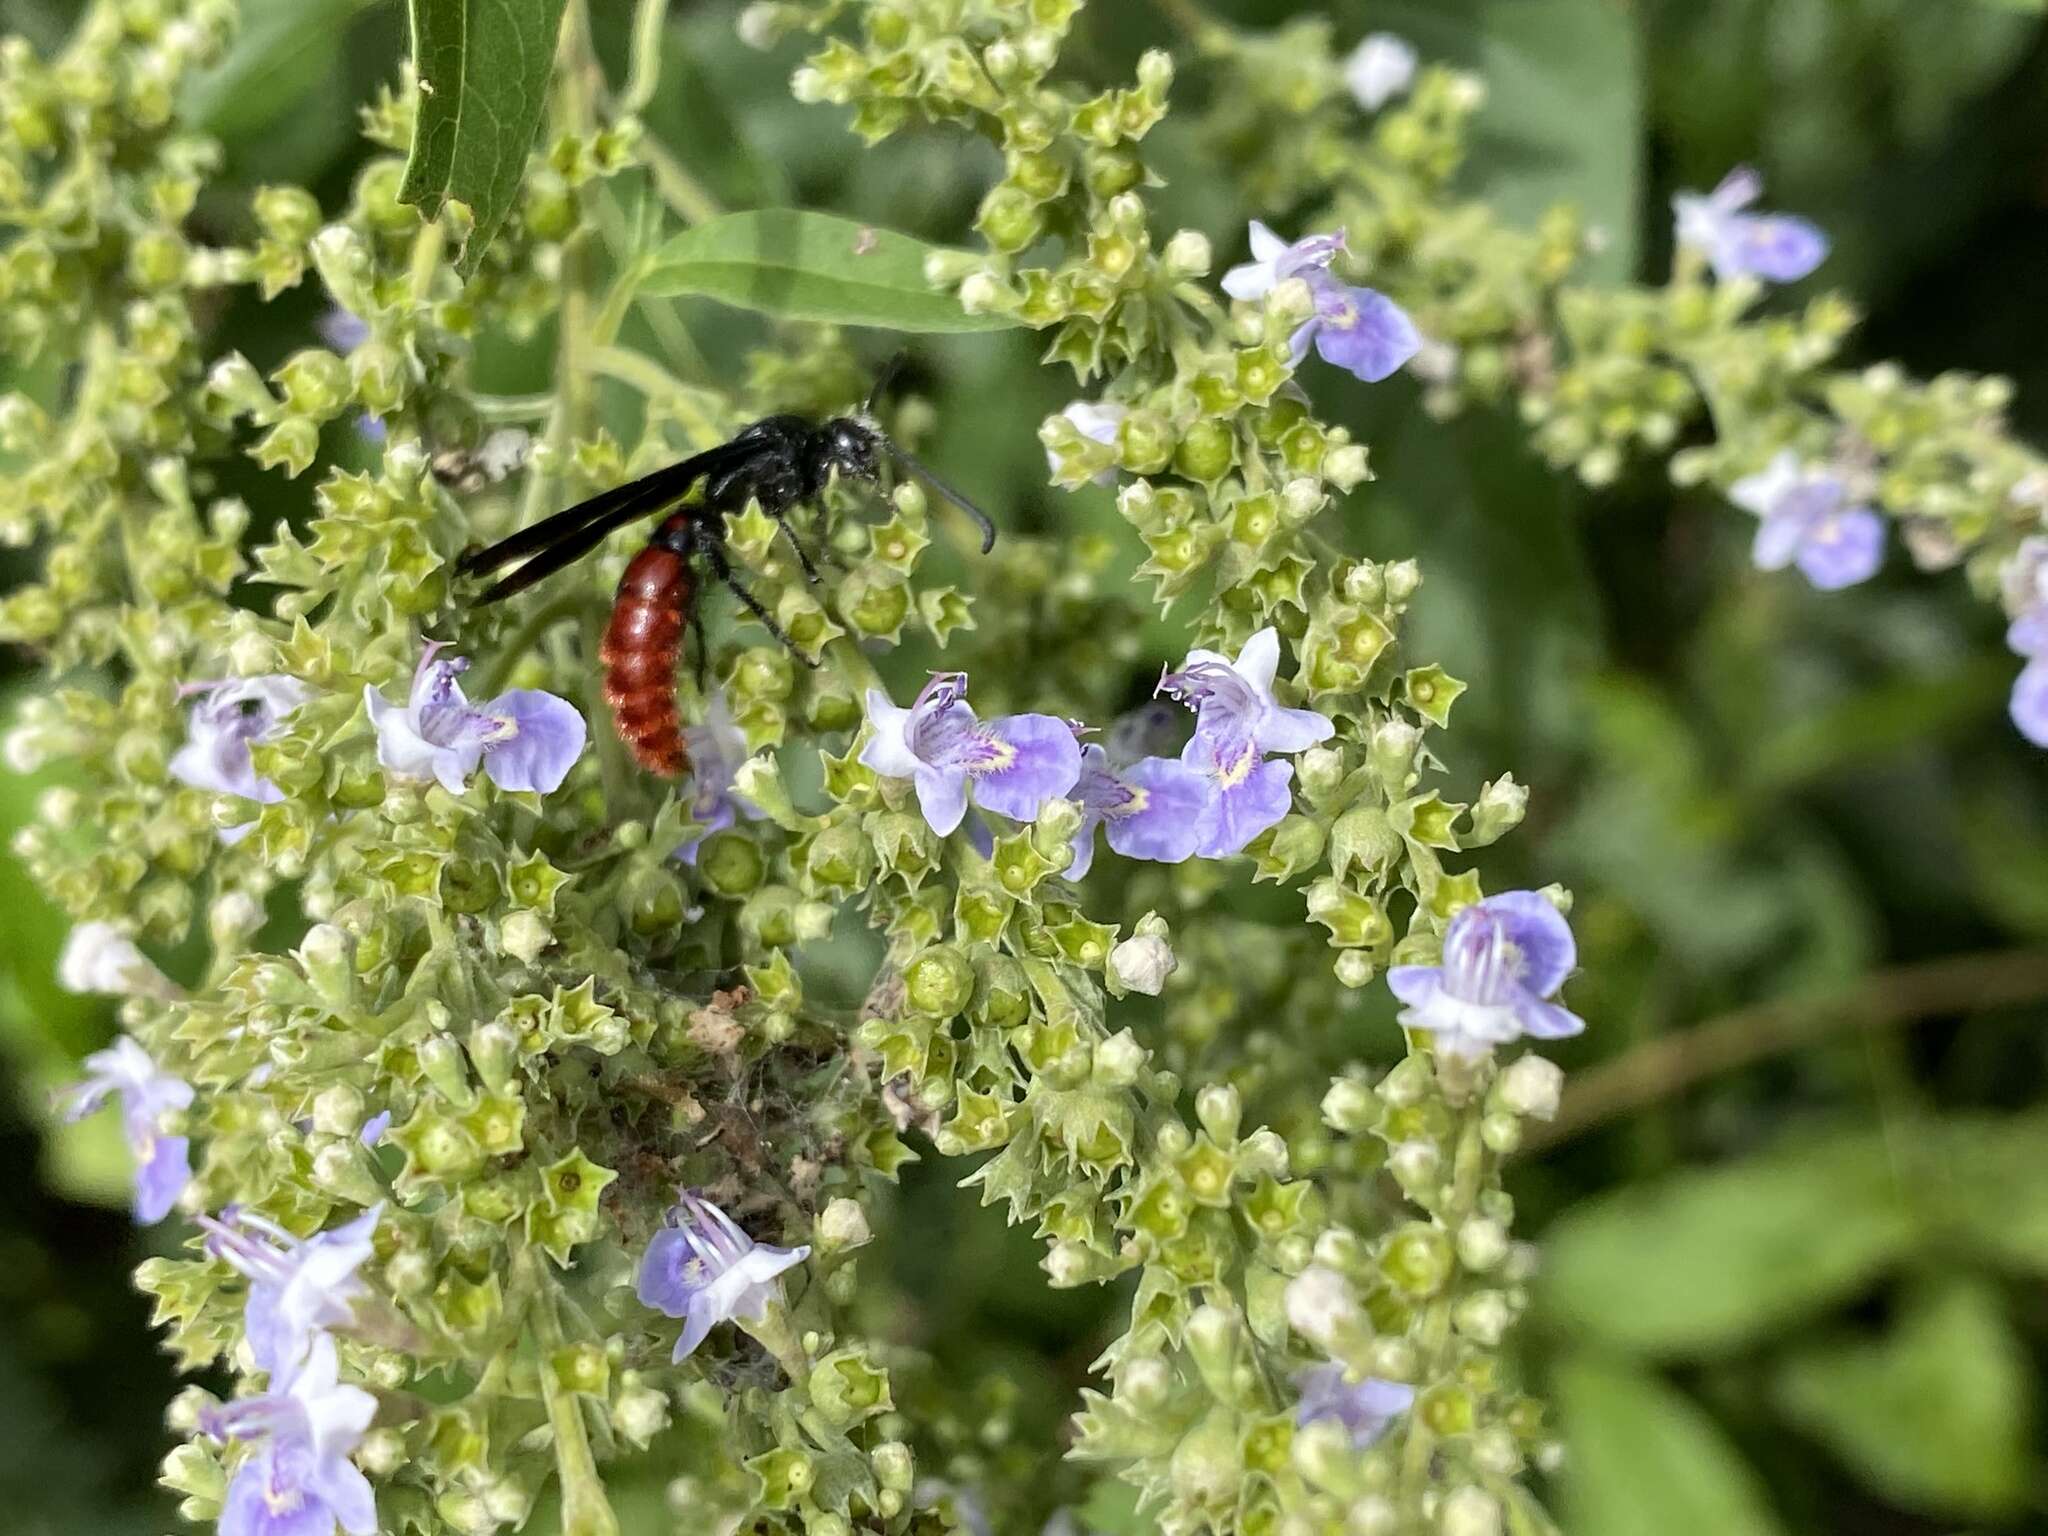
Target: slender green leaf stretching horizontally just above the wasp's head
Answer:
[[812, 267]]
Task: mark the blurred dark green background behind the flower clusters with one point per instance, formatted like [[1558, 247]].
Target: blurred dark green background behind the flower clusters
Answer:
[[1797, 1222]]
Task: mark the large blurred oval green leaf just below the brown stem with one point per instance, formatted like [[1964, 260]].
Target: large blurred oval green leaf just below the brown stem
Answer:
[[1709, 1261]]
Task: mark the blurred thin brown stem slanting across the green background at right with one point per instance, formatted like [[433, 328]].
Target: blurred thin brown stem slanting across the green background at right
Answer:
[[1879, 1000]]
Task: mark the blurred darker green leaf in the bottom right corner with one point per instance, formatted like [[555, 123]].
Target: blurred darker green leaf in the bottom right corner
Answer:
[[1936, 1416]]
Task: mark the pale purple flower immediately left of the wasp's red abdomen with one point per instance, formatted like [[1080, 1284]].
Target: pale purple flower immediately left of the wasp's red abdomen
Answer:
[[527, 740]]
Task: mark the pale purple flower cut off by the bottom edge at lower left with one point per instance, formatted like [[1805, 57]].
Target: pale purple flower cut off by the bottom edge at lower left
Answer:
[[300, 1480]]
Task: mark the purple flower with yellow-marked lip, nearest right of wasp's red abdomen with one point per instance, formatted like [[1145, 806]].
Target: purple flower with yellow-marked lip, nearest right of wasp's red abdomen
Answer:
[[1011, 765]]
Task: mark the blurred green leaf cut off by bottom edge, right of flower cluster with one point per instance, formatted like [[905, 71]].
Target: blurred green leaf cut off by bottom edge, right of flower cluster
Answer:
[[1646, 1459]]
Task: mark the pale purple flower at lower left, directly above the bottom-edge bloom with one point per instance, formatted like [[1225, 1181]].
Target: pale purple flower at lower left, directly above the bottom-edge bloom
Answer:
[[298, 1287]]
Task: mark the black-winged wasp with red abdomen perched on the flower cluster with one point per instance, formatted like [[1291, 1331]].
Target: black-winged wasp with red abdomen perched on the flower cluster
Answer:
[[781, 462]]
